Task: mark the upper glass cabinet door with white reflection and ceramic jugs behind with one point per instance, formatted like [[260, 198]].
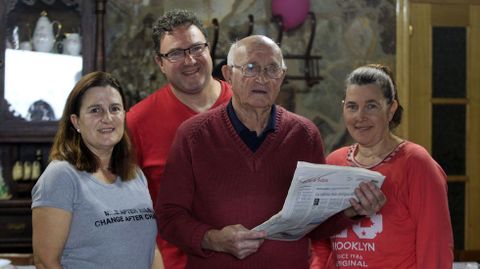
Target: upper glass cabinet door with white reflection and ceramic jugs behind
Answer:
[[45, 48]]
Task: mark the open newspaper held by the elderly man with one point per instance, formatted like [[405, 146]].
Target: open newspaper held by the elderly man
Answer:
[[317, 192]]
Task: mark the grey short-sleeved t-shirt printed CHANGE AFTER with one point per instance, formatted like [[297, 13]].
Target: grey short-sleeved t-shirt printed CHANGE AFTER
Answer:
[[113, 225]]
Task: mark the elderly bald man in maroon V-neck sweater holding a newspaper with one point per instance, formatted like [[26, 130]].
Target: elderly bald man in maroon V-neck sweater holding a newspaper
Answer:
[[229, 169]]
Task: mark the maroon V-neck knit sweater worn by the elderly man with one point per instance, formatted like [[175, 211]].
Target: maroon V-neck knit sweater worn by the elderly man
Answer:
[[212, 179]]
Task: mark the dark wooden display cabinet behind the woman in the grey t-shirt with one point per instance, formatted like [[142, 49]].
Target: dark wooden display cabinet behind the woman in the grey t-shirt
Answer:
[[23, 138]]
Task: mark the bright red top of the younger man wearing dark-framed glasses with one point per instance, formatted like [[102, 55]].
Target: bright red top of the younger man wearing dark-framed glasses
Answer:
[[152, 124]]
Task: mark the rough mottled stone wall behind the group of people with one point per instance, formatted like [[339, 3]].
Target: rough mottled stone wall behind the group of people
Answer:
[[348, 33]]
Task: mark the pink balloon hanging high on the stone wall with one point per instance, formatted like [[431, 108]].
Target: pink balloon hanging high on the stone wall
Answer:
[[293, 12]]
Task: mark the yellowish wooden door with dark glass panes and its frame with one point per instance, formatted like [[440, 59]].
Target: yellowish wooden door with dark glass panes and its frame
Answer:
[[438, 52]]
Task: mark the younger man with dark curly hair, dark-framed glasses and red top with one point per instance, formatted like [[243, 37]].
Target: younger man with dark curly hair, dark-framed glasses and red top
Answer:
[[183, 55]]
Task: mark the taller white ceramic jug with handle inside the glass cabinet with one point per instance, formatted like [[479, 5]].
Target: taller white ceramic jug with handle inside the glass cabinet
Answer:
[[43, 36]]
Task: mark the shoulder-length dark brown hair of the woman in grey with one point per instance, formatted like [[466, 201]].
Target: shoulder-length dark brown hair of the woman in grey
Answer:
[[68, 144]]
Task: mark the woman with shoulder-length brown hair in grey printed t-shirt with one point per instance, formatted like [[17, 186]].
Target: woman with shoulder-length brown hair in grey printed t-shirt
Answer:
[[91, 207]]
